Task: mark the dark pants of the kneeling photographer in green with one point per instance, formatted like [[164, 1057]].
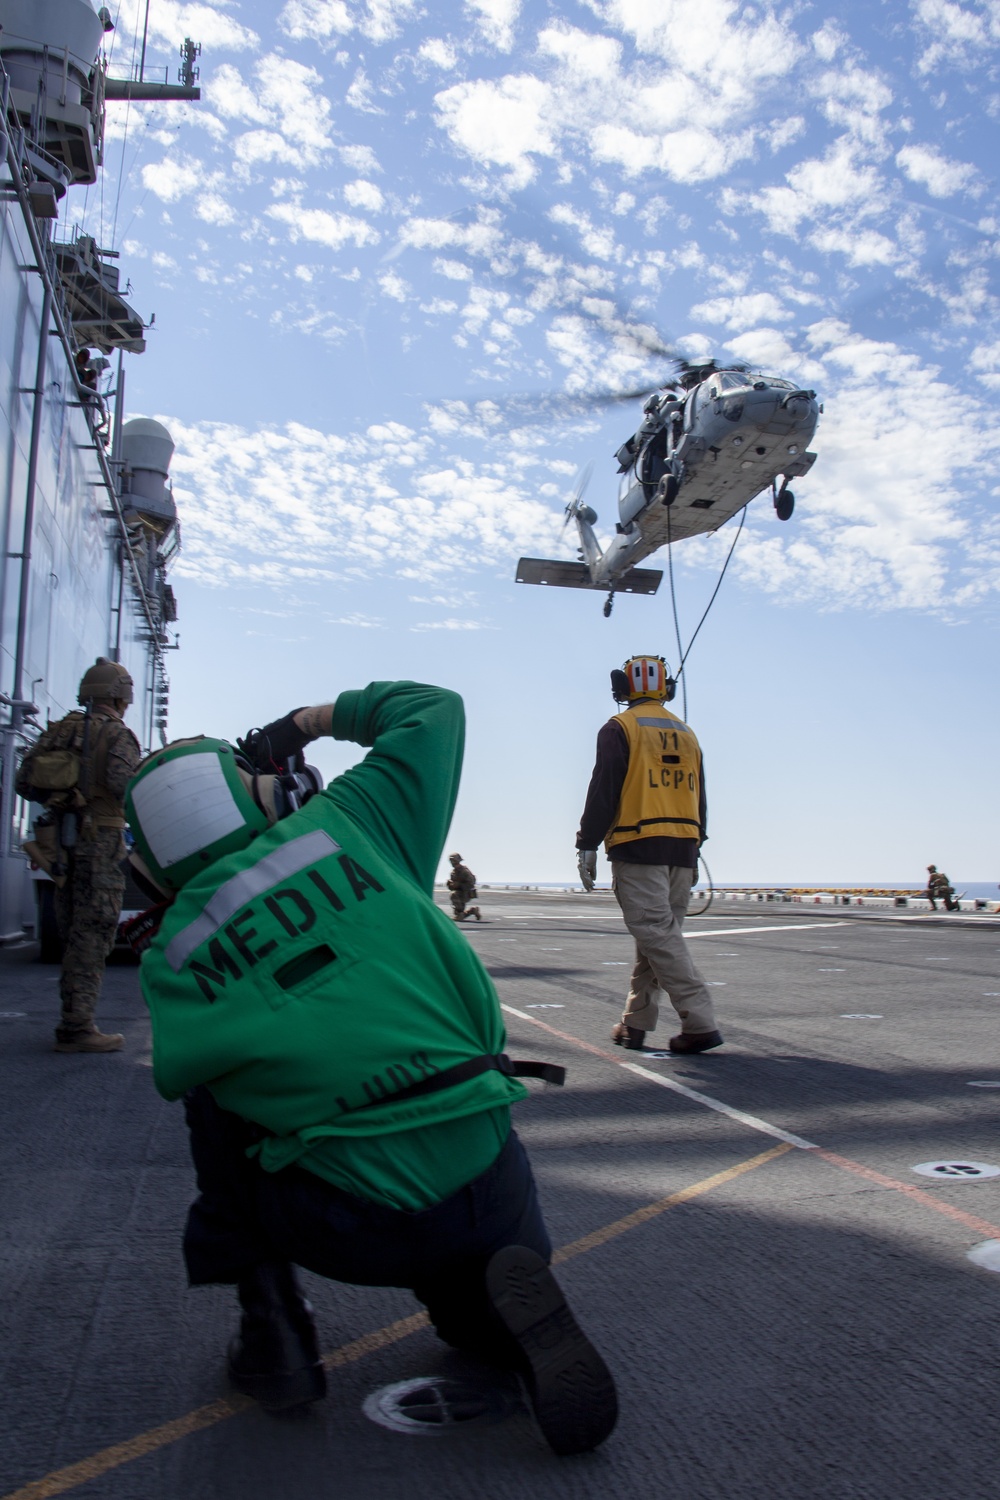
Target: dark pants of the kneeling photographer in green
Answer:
[[245, 1217]]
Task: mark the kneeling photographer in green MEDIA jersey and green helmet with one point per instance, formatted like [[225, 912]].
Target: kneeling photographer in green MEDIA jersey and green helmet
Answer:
[[341, 1049]]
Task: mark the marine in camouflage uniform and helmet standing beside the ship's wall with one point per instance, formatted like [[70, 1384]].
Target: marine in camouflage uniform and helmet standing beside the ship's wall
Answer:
[[89, 905]]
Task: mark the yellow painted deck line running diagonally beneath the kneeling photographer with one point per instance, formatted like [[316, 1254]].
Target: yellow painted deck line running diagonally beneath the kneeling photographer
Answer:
[[61, 1481]]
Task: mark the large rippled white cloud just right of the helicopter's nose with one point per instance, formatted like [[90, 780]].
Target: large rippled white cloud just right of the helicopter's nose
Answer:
[[884, 520]]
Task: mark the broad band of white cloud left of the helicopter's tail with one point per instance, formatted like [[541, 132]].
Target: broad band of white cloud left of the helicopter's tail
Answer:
[[284, 505]]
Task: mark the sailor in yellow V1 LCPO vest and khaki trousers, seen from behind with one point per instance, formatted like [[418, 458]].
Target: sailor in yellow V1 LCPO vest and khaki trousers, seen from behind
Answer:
[[647, 803]]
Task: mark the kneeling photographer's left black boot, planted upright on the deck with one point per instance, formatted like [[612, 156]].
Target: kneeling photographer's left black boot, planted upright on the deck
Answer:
[[275, 1357]]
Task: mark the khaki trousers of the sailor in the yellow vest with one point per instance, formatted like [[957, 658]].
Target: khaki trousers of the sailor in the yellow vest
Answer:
[[654, 902]]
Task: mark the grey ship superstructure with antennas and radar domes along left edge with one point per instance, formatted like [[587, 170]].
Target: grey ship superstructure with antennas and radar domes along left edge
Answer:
[[88, 515]]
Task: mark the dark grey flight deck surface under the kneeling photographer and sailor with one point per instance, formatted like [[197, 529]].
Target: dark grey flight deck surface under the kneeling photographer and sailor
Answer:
[[804, 1328]]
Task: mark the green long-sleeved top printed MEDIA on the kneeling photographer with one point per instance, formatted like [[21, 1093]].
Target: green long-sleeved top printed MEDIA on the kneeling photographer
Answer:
[[311, 973]]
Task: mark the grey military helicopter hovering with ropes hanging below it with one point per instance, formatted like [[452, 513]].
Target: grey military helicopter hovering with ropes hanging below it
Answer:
[[711, 440]]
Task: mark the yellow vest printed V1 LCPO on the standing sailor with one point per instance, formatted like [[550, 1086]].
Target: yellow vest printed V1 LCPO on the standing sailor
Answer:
[[662, 788]]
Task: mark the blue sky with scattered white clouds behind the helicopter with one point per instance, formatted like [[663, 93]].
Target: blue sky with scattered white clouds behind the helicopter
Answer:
[[391, 241]]
